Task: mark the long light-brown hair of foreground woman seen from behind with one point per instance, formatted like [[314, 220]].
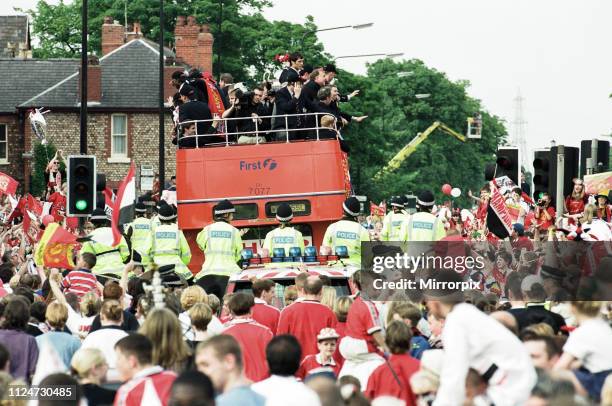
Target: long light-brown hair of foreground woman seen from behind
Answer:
[[162, 327]]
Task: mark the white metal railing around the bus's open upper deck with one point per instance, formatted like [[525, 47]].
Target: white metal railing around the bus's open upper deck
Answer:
[[221, 129]]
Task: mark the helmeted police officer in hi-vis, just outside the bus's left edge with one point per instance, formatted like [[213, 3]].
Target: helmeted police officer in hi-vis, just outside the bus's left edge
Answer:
[[168, 244]]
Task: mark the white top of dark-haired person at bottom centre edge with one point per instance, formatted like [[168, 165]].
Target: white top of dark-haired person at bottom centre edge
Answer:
[[283, 390]]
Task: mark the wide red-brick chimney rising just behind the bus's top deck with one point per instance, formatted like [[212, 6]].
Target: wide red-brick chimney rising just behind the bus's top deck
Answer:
[[193, 43]]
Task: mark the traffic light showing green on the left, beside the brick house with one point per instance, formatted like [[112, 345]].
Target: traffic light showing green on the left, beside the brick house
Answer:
[[81, 199]]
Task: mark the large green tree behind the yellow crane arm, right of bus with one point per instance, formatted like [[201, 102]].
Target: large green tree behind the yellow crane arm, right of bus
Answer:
[[396, 116]]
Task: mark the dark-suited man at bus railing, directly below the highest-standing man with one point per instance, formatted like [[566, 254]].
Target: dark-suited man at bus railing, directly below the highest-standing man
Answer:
[[286, 102]]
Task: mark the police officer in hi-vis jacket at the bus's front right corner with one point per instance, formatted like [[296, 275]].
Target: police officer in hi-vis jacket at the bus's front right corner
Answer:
[[348, 232]]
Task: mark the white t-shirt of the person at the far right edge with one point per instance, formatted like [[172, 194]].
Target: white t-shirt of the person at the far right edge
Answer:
[[591, 343]]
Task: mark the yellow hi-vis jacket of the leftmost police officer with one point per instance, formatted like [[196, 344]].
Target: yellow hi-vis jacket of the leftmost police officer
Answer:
[[109, 259]]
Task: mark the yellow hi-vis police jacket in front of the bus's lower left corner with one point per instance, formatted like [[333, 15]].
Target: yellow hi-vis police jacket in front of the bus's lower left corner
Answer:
[[222, 244]]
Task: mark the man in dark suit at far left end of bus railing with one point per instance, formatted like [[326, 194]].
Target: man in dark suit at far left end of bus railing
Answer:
[[191, 110]]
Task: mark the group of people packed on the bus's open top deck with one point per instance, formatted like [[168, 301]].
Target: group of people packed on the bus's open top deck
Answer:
[[301, 104]]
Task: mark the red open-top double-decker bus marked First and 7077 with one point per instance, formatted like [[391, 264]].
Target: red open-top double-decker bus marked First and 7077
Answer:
[[312, 176]]
